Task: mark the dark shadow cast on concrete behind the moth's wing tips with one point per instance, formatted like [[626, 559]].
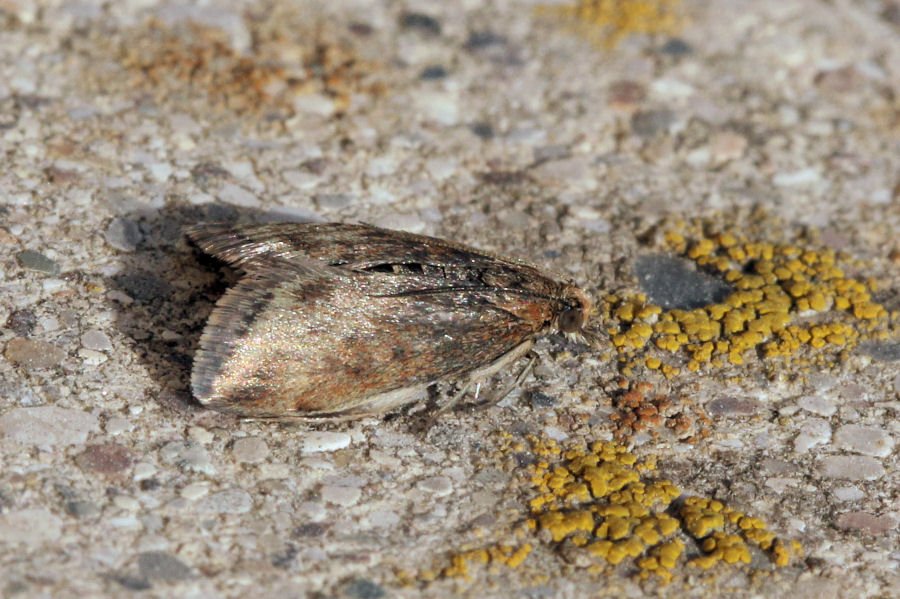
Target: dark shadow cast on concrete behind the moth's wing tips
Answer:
[[165, 289]]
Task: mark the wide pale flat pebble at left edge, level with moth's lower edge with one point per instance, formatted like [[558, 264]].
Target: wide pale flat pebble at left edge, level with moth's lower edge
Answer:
[[48, 426]]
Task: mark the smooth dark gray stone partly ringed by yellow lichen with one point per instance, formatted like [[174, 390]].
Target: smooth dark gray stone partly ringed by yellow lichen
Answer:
[[673, 283]]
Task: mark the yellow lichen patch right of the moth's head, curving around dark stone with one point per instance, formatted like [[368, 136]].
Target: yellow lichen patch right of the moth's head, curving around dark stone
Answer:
[[786, 298]]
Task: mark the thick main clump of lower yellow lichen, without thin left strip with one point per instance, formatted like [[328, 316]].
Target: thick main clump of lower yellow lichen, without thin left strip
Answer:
[[627, 517]]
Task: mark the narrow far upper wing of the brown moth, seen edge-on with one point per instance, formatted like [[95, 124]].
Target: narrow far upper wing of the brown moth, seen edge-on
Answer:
[[349, 245]]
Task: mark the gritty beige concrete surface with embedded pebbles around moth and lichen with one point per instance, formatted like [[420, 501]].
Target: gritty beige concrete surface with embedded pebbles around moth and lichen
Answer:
[[499, 125]]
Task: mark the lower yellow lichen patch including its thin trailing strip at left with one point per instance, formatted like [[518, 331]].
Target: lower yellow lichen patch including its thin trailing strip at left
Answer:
[[597, 508]]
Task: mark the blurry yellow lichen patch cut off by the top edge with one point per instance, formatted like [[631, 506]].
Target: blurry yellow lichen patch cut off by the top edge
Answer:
[[617, 19]]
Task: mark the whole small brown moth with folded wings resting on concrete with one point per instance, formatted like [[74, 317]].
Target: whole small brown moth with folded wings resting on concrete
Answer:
[[343, 321]]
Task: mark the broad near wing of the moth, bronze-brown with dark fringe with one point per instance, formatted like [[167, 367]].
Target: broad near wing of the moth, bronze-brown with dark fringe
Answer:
[[282, 344]]
